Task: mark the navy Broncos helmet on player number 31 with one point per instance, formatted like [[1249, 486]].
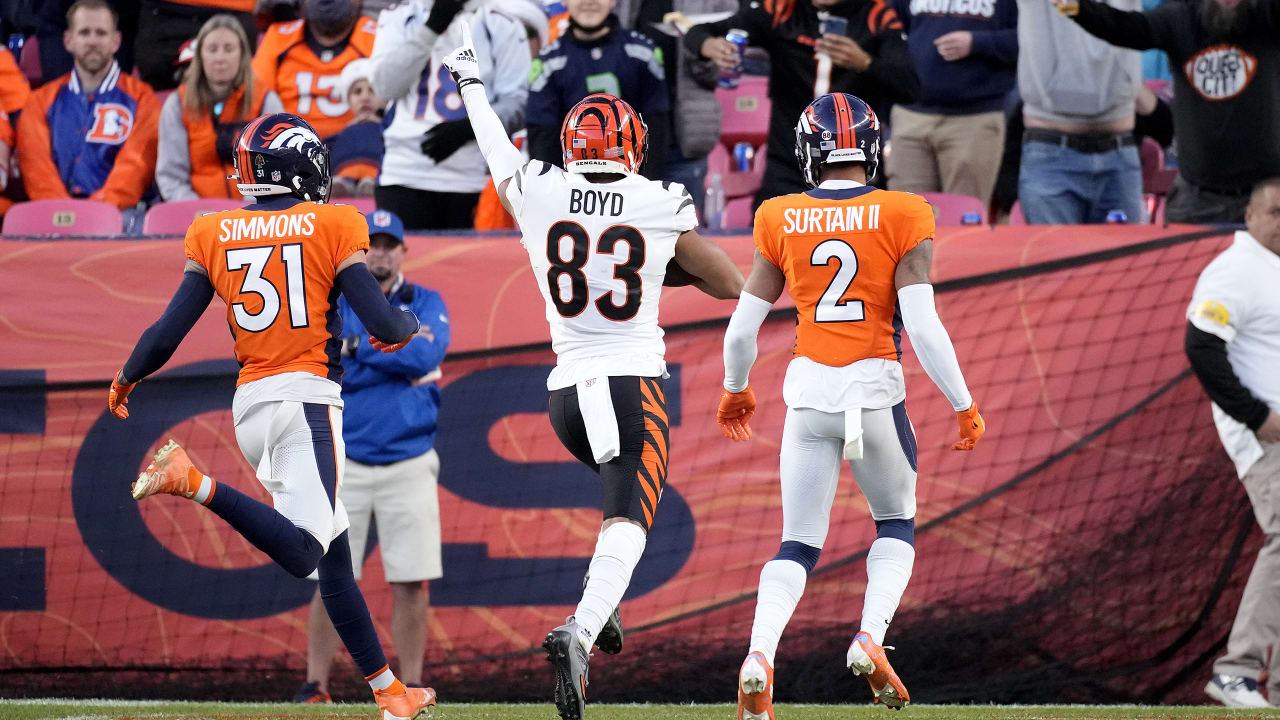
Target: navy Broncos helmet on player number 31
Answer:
[[281, 154]]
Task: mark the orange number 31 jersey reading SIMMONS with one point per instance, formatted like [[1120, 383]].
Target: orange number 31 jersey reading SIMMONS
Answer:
[[276, 271]]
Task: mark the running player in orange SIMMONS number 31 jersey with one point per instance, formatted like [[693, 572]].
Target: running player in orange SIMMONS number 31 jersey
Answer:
[[280, 266]]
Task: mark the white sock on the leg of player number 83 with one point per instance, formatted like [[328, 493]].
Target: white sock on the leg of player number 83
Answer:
[[618, 552]]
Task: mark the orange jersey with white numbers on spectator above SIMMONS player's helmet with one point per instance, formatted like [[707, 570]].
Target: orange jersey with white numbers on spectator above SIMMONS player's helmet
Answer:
[[307, 81]]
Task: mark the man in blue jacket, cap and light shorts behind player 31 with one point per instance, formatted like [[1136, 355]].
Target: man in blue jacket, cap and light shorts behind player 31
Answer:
[[391, 403]]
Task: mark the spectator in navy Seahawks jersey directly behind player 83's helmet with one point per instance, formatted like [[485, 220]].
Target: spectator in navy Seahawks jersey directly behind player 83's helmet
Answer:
[[597, 56]]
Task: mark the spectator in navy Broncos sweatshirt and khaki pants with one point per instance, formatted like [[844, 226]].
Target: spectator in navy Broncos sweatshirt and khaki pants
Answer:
[[952, 139]]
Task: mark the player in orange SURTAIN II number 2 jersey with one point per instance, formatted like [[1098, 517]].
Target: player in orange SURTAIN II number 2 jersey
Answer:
[[857, 261]]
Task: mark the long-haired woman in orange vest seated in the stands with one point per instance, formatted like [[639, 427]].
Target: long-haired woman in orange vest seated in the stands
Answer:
[[200, 122]]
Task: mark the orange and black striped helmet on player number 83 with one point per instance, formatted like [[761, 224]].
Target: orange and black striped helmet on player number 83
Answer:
[[604, 135]]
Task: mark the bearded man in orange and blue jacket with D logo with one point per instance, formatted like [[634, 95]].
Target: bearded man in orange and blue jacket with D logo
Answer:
[[92, 133]]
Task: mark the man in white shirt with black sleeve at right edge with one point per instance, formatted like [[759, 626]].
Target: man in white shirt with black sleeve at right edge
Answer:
[[1233, 343]]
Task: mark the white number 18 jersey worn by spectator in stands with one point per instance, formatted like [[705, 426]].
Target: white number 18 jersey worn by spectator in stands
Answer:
[[502, 51]]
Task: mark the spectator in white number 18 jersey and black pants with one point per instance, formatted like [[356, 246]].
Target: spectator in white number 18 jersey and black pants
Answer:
[[432, 172]]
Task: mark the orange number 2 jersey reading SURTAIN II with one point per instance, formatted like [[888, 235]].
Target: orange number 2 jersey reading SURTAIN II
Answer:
[[840, 250]]
